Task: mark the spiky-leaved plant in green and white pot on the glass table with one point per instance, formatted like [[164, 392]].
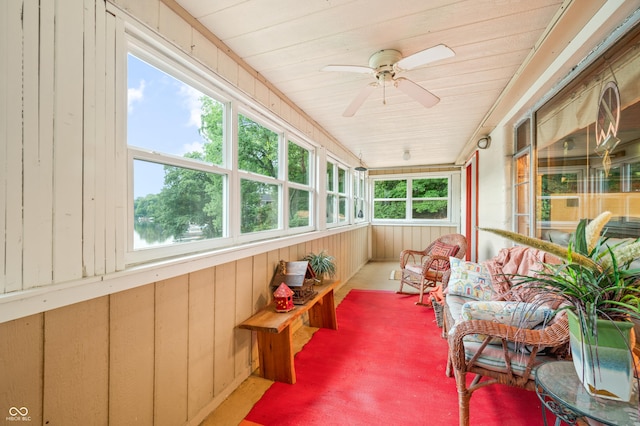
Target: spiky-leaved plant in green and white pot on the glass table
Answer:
[[603, 297]]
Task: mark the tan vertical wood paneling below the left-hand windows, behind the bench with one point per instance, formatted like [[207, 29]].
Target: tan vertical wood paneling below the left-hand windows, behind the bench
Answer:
[[165, 353]]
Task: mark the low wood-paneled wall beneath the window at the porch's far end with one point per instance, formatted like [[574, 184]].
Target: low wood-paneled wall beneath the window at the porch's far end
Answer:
[[389, 240]]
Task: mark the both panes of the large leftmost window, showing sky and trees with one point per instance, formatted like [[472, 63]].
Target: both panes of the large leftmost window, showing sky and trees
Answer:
[[175, 133]]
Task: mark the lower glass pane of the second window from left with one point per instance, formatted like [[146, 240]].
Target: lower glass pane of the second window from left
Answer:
[[259, 205]]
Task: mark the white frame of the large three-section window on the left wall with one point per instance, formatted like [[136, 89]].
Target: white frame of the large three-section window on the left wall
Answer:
[[183, 69]]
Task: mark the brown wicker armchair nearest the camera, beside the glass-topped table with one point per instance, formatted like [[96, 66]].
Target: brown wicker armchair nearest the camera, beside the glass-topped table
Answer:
[[512, 362]]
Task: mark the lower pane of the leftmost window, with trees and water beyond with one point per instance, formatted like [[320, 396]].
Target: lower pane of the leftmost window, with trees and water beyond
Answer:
[[184, 205]]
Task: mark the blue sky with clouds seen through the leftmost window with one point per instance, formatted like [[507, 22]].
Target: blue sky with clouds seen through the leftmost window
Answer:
[[163, 114]]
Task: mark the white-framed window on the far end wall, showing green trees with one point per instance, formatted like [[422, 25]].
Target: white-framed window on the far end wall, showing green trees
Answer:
[[413, 199]]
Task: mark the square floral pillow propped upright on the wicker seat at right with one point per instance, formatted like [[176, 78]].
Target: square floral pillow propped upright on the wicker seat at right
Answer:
[[469, 279]]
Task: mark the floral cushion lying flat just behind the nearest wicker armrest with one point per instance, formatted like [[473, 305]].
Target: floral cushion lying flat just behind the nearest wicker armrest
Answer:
[[517, 314]]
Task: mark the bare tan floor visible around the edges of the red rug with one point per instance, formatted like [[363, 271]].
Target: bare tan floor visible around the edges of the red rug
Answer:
[[372, 276]]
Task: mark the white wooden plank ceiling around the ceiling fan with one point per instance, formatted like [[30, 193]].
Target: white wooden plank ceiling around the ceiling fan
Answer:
[[289, 41]]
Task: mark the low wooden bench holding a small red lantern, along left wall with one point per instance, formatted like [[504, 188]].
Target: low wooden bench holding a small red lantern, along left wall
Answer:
[[275, 338]]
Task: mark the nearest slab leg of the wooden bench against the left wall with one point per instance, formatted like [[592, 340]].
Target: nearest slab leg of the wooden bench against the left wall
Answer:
[[276, 356]]
